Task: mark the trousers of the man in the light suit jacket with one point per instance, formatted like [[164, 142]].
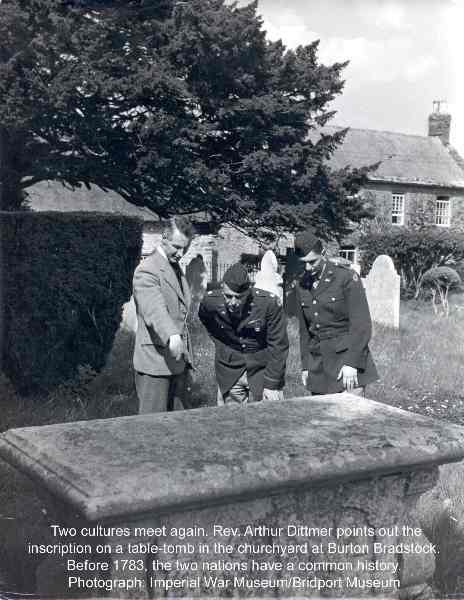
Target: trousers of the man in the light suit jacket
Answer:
[[161, 393]]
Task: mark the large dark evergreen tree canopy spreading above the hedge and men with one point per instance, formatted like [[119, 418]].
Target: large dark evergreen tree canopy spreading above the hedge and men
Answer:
[[177, 106]]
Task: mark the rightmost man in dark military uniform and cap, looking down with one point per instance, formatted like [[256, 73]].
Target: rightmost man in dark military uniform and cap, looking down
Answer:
[[335, 324]]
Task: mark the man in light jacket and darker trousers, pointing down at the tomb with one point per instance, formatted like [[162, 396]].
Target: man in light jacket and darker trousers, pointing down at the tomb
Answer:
[[162, 353]]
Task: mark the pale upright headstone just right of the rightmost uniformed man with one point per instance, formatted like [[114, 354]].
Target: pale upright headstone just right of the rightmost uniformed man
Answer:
[[383, 292]]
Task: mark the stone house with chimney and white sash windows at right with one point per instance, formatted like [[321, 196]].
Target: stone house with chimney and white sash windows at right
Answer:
[[420, 179]]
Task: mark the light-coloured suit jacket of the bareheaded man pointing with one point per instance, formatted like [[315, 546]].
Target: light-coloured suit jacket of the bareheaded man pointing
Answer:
[[162, 309]]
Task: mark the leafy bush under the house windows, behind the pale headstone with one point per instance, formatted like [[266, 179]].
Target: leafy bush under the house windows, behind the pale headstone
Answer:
[[413, 252]]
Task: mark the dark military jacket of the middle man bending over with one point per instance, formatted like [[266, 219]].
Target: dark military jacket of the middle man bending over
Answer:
[[256, 343]]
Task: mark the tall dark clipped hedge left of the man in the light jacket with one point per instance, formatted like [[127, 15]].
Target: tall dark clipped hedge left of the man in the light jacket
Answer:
[[64, 279]]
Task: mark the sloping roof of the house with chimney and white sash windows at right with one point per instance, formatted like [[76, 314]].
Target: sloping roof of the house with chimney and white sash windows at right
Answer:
[[404, 158]]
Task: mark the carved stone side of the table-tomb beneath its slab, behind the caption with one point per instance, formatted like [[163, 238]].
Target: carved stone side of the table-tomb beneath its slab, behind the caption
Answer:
[[336, 563]]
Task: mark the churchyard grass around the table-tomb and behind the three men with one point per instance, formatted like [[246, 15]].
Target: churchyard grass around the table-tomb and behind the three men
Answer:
[[420, 368]]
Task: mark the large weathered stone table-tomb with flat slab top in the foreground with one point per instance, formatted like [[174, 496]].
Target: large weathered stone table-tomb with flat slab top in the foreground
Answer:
[[327, 462]]
